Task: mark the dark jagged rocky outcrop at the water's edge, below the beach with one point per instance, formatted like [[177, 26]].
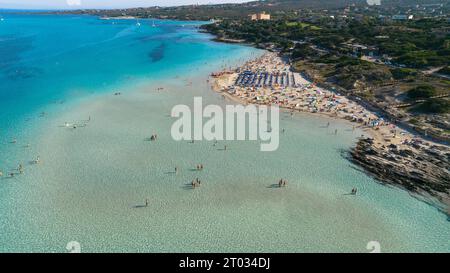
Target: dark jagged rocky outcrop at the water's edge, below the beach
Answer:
[[421, 168]]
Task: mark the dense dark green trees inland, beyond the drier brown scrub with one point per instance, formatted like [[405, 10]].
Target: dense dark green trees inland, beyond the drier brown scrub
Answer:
[[414, 44]]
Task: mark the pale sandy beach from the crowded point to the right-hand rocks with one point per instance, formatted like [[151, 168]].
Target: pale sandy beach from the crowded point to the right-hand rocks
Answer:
[[305, 96]]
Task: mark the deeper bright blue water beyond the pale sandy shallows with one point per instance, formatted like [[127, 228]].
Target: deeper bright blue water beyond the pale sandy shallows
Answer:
[[46, 58]]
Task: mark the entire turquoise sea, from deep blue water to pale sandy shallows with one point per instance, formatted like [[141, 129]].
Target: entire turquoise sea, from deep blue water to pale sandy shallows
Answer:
[[93, 180]]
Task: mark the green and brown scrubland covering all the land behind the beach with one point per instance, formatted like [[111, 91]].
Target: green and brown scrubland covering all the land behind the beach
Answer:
[[355, 48]]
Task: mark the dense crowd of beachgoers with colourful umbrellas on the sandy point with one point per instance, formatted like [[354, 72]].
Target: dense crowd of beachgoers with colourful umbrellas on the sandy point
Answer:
[[303, 96]]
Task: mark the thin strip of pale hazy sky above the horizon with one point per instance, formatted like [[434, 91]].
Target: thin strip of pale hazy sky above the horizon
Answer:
[[33, 4]]
